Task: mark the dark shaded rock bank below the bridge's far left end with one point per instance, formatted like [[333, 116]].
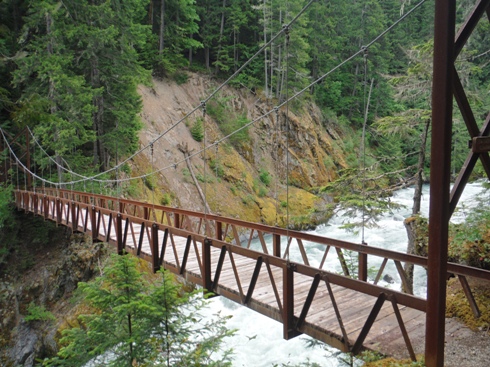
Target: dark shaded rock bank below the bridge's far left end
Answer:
[[42, 270]]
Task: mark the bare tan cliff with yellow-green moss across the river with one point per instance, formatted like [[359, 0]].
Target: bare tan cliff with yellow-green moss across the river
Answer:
[[243, 176]]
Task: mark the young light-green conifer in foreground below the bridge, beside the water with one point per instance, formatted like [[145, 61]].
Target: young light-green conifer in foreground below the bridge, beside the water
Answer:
[[142, 321]]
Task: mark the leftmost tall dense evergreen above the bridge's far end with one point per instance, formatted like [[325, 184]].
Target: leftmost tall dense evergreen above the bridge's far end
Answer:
[[55, 101]]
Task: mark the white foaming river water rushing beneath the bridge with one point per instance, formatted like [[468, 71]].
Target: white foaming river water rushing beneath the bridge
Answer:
[[259, 343]]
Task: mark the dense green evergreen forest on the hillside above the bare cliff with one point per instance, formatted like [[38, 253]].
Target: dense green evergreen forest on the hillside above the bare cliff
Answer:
[[69, 69]]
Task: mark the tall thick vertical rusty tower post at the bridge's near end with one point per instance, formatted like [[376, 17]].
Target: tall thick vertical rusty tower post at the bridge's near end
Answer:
[[442, 103]]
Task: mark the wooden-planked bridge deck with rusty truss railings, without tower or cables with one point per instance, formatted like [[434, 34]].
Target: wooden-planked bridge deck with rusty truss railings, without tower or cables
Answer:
[[343, 310]]
